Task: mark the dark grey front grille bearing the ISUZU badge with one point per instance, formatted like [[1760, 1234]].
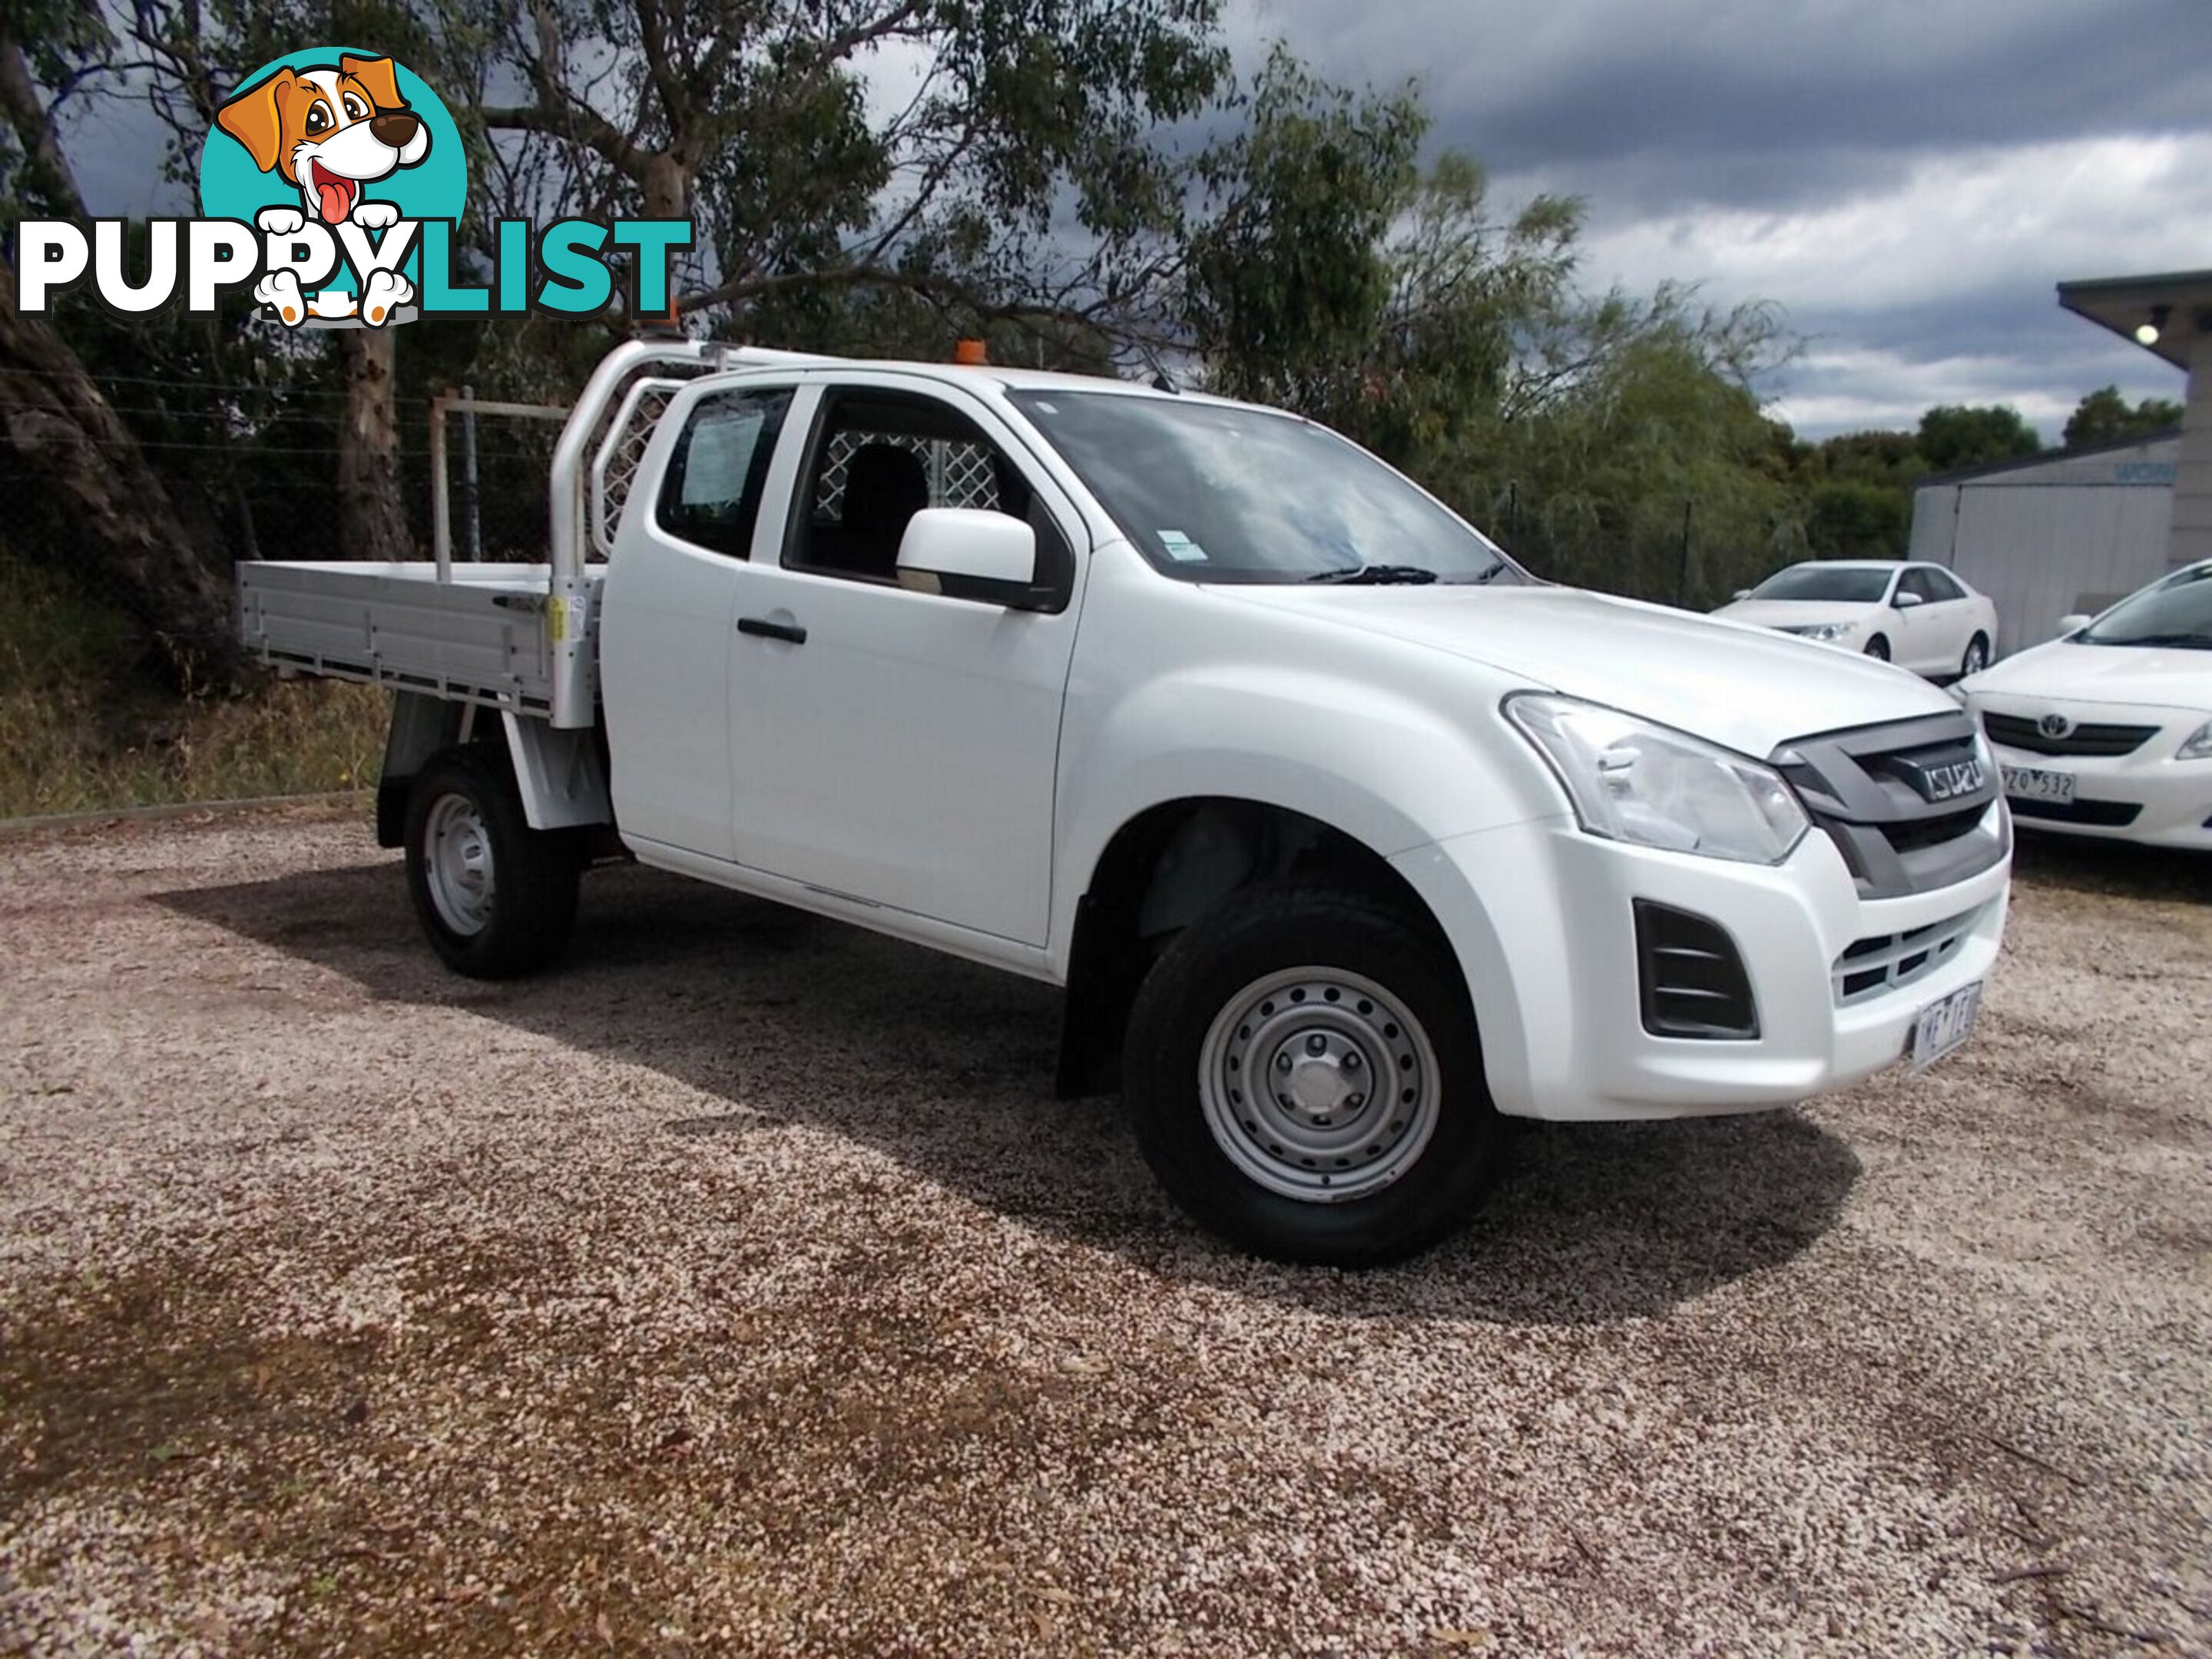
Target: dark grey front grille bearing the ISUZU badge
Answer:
[[1868, 791]]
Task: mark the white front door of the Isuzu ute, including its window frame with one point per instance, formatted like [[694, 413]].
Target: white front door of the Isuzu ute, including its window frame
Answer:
[[897, 744]]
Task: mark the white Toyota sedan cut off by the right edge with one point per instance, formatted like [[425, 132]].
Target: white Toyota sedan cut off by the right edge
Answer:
[[2109, 729]]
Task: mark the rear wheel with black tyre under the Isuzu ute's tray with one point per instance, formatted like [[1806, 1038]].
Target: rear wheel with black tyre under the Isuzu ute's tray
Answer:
[[497, 897]]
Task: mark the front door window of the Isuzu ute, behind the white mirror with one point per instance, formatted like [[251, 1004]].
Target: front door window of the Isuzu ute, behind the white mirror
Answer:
[[884, 457]]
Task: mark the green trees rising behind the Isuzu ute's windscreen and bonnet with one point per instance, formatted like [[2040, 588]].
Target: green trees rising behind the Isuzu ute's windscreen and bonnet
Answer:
[[1609, 441]]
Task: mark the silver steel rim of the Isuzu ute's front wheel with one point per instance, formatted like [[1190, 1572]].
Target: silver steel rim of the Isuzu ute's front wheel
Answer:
[[1288, 1085]]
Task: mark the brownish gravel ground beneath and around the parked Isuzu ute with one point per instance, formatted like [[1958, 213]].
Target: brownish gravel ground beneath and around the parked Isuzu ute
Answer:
[[742, 1288]]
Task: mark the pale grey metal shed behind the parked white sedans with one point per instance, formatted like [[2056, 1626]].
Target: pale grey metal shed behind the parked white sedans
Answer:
[[2052, 534]]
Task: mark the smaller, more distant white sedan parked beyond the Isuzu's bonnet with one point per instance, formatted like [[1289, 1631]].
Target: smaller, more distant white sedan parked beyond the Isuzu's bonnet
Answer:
[[1917, 616]]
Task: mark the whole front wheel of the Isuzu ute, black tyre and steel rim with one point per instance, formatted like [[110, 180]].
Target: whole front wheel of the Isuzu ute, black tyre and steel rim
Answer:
[[1306, 1081]]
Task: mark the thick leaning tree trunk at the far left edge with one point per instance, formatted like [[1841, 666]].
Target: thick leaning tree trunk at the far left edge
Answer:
[[101, 510]]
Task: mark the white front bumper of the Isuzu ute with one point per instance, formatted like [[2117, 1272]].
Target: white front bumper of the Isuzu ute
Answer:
[[1543, 921]]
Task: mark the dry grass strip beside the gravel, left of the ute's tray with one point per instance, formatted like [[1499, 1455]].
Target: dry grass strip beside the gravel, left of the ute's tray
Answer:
[[81, 729]]
